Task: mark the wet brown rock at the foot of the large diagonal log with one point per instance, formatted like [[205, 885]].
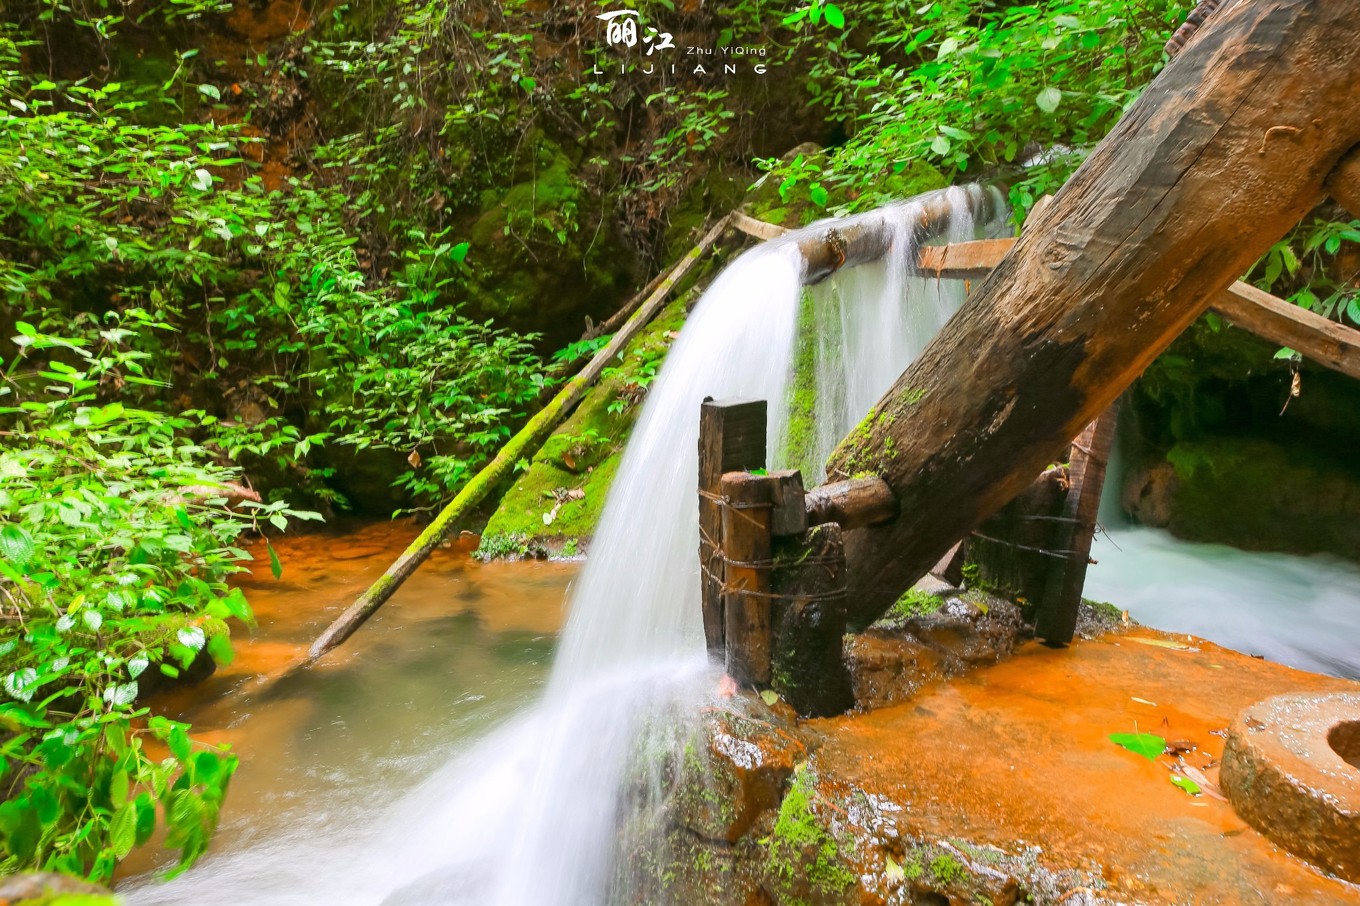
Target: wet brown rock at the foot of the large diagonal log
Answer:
[[896, 658]]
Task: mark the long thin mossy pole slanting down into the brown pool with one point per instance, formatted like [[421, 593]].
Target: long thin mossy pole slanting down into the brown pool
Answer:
[[523, 446]]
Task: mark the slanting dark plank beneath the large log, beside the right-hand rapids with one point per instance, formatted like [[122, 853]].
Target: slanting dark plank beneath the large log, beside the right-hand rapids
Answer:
[[1061, 602]]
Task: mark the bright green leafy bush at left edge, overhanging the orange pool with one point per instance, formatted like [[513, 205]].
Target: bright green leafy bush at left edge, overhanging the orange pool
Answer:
[[116, 546]]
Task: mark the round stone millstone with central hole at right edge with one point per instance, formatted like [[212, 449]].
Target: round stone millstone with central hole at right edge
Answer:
[[1291, 768]]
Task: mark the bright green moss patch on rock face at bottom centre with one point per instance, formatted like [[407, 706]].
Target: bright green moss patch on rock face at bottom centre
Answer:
[[802, 851]]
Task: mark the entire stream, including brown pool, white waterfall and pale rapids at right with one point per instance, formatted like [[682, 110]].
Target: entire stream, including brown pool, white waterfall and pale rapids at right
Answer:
[[462, 750]]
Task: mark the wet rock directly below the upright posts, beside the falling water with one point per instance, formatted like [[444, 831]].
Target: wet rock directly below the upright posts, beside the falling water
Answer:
[[732, 775]]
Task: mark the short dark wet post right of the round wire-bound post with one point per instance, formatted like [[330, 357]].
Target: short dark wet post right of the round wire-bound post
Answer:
[[809, 667]]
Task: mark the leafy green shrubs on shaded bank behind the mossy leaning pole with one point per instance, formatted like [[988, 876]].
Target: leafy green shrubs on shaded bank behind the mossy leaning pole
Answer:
[[255, 304]]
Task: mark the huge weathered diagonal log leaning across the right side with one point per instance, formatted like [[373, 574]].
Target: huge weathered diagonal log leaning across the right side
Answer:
[[1227, 149]]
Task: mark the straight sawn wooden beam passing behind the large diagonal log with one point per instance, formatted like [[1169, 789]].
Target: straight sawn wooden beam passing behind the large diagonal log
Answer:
[[1316, 338]]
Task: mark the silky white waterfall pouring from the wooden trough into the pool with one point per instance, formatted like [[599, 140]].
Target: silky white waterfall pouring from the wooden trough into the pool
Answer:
[[530, 814]]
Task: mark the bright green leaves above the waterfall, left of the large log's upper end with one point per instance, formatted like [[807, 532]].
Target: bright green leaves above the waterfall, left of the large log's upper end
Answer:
[[968, 86]]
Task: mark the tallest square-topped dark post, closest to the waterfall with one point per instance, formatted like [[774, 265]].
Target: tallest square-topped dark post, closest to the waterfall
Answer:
[[732, 436]]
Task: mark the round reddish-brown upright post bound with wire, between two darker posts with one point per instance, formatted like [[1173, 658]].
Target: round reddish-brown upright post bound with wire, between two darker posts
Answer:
[[747, 549]]
